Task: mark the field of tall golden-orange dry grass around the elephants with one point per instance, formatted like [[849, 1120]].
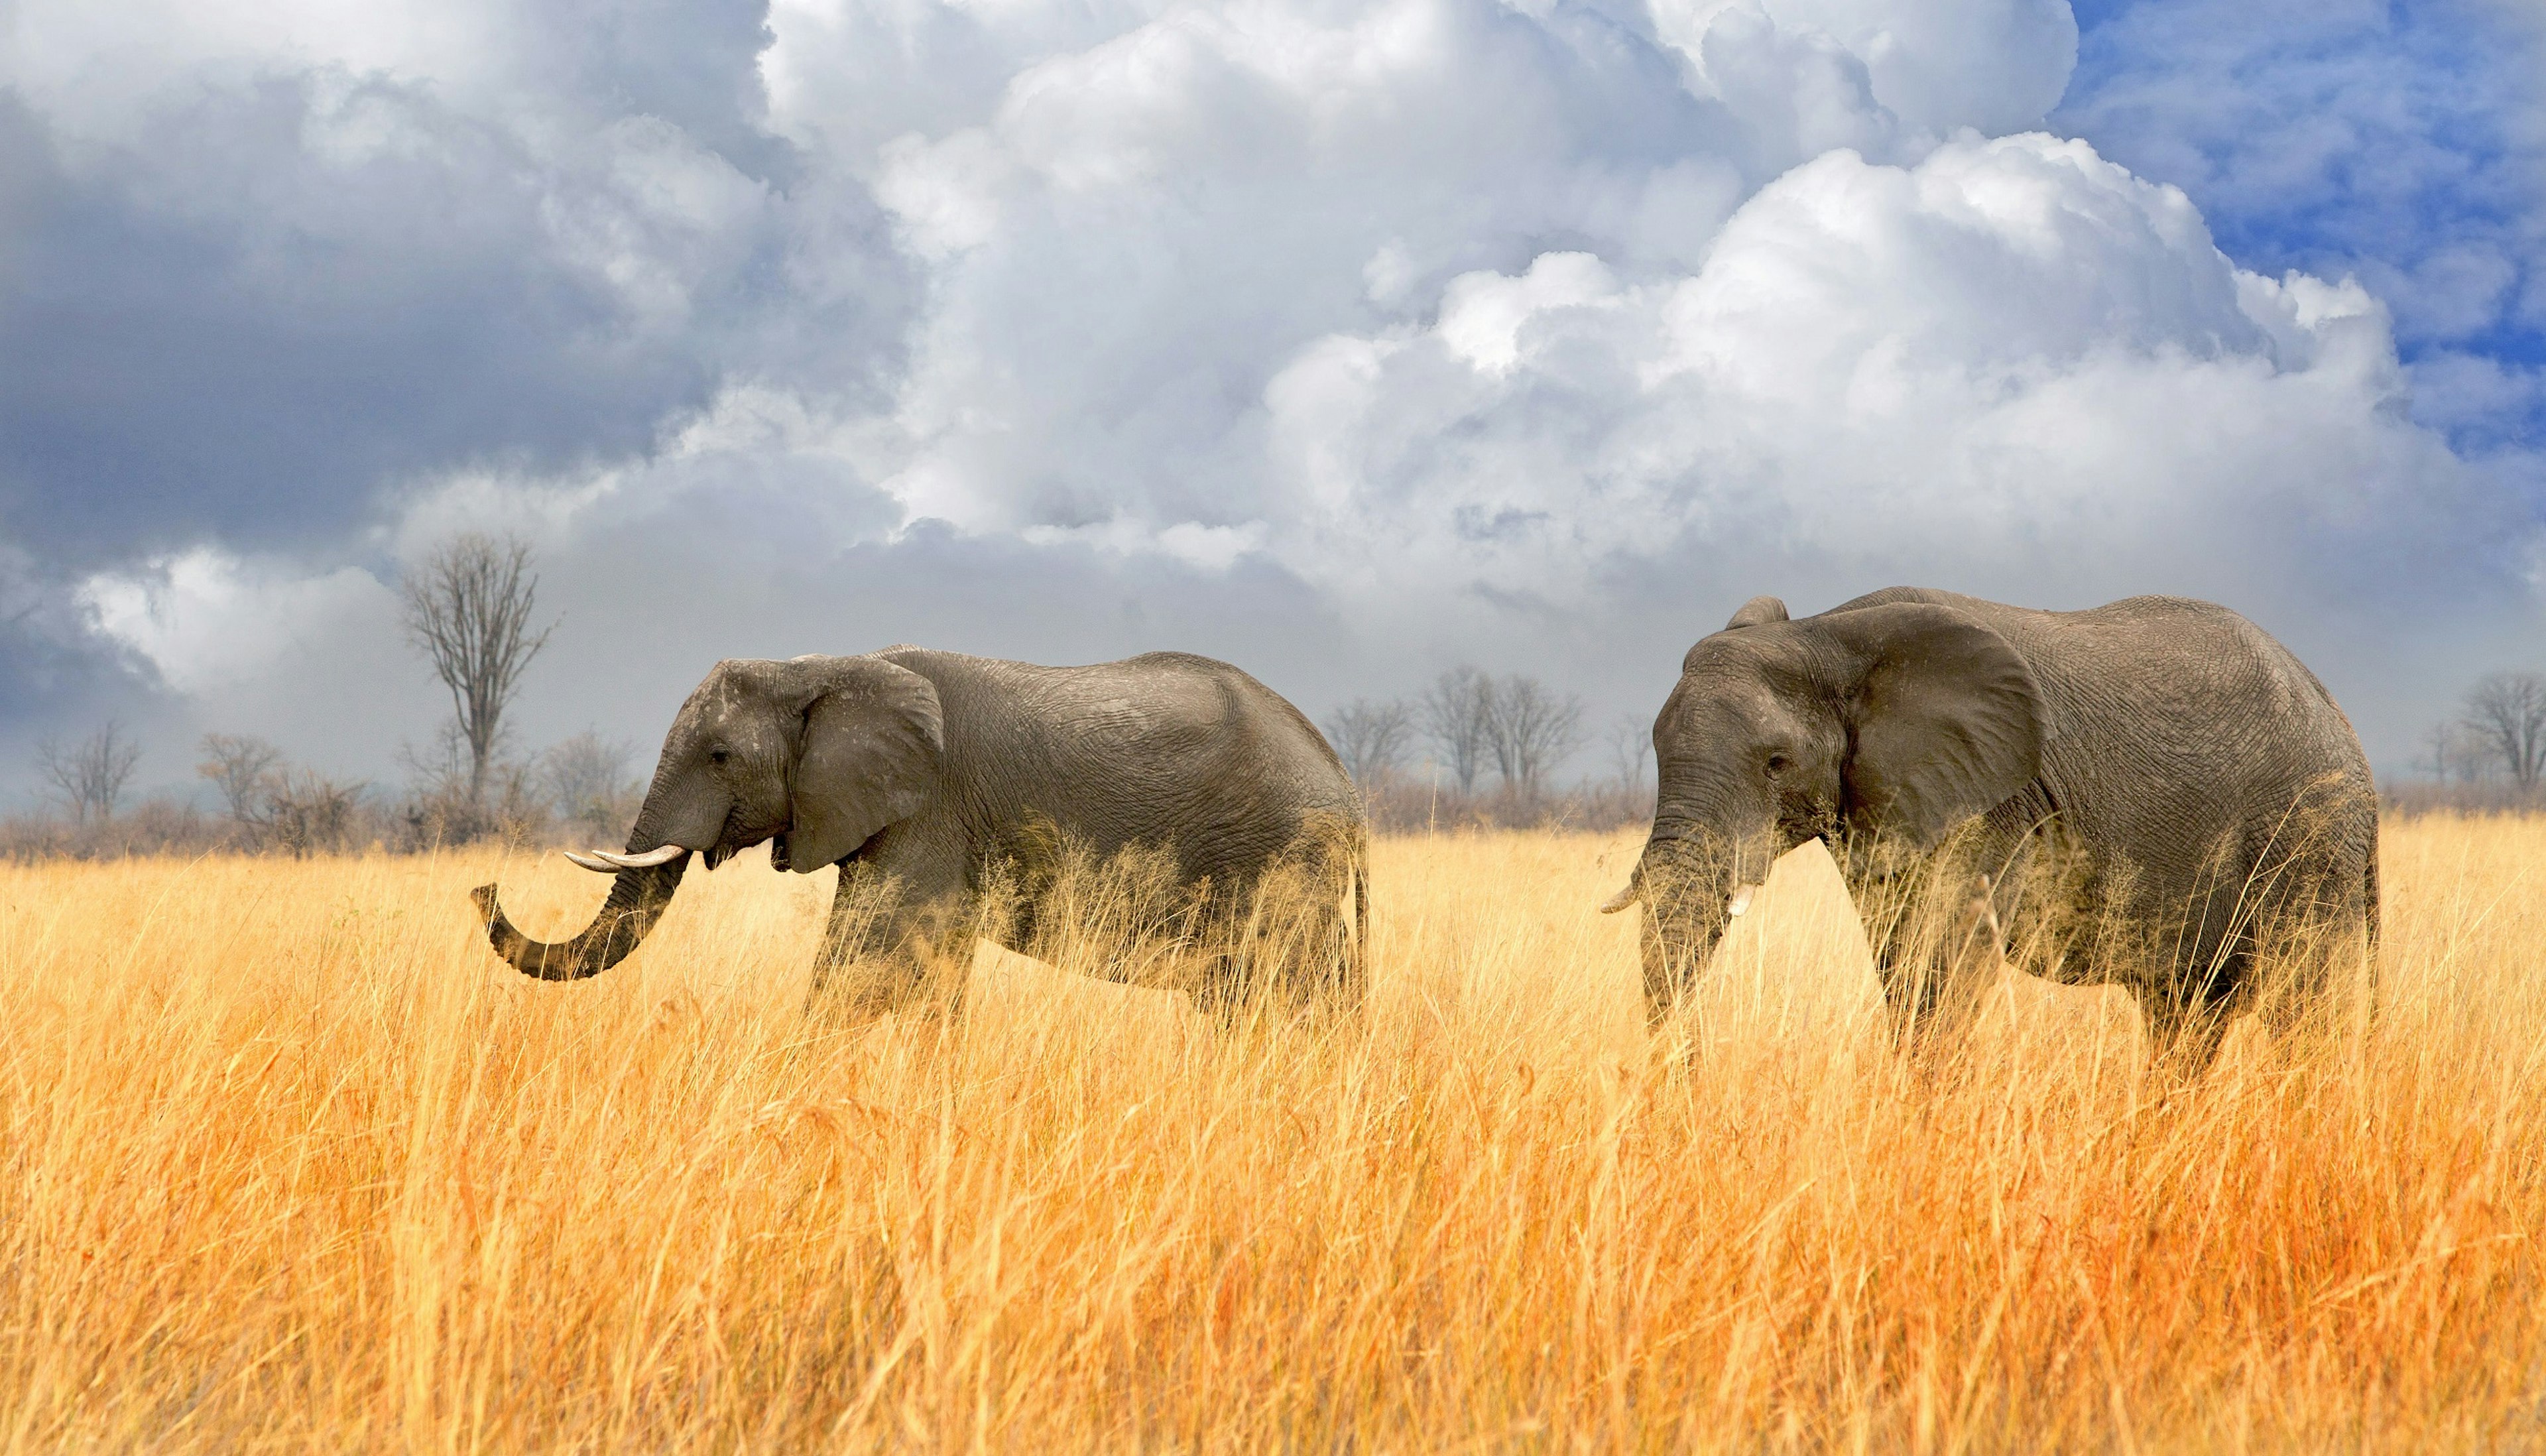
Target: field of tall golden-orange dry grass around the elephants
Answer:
[[289, 1162]]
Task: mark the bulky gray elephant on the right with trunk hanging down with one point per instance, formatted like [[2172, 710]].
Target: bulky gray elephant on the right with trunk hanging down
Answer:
[[2153, 788]]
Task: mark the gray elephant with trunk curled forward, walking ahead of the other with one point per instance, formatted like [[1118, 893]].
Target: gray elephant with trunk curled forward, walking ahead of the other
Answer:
[[918, 770]]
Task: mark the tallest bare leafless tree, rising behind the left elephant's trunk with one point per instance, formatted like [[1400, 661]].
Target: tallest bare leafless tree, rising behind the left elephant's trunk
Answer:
[[470, 610]]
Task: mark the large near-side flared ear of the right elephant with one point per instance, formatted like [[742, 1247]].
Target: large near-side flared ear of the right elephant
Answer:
[[1944, 719]]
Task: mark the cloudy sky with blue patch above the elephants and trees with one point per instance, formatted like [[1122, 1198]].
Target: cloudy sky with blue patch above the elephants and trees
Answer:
[[1338, 340]]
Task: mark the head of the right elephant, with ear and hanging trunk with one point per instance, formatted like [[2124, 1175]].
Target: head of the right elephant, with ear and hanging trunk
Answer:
[[1893, 722]]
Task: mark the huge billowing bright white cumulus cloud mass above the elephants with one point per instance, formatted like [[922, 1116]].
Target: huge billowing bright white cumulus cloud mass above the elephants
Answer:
[[1338, 340]]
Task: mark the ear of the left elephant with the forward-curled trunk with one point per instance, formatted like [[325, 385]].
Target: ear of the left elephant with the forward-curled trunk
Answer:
[[872, 745]]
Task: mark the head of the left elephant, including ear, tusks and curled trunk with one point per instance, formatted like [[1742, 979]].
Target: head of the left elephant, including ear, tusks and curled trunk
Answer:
[[819, 755]]
